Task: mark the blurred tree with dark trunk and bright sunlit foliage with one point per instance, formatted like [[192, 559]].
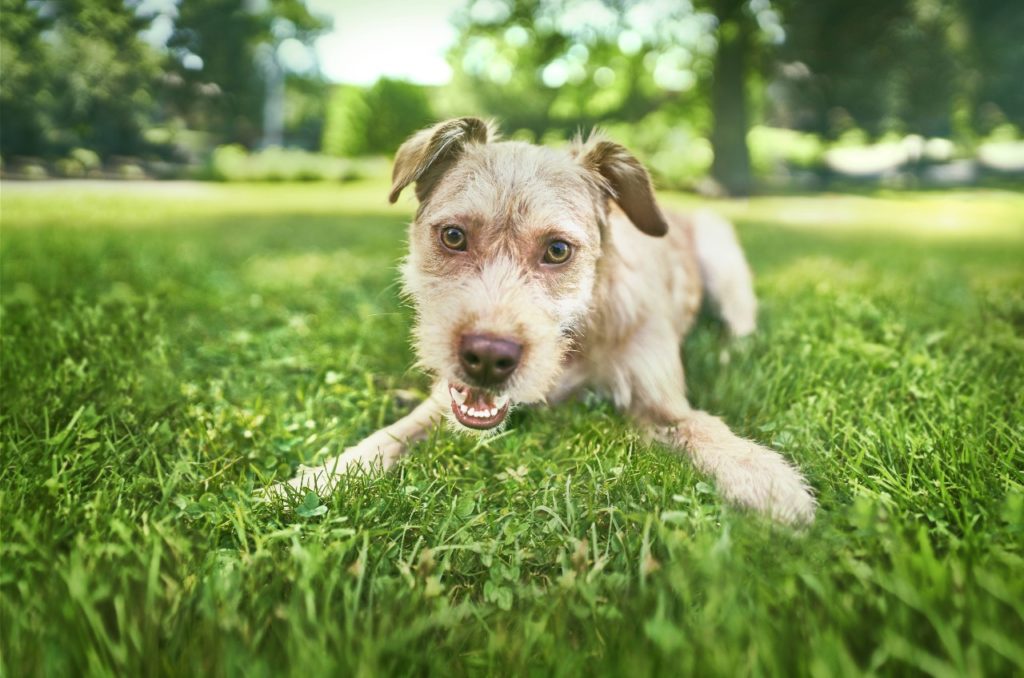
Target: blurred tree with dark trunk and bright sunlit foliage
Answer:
[[546, 65]]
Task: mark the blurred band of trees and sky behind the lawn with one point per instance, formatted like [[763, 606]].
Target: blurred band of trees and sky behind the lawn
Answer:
[[720, 97]]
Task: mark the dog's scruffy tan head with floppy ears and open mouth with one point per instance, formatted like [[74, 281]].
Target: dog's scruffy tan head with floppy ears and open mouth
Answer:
[[504, 257]]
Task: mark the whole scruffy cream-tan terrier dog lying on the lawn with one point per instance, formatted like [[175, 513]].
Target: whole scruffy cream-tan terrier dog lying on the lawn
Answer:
[[536, 273]]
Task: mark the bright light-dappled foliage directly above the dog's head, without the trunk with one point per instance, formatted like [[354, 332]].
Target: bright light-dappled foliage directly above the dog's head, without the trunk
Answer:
[[544, 67]]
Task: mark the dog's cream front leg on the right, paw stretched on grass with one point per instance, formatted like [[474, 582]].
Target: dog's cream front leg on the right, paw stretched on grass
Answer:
[[746, 473]]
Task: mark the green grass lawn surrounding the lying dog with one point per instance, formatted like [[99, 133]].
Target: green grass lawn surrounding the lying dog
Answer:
[[168, 350]]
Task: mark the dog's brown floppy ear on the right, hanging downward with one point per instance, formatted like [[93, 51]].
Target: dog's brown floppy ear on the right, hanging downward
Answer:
[[624, 180]]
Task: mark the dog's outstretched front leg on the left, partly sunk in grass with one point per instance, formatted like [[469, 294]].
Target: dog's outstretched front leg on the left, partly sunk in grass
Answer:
[[386, 447]]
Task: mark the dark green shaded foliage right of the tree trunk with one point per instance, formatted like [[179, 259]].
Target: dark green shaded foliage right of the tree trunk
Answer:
[[902, 65]]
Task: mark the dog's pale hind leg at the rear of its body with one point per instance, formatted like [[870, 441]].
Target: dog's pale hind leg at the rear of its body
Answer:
[[726, 273]]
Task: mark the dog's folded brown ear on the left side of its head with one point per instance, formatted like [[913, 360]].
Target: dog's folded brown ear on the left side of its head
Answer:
[[428, 155]]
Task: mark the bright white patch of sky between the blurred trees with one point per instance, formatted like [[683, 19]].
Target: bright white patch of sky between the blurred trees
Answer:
[[399, 38]]
